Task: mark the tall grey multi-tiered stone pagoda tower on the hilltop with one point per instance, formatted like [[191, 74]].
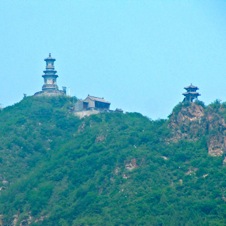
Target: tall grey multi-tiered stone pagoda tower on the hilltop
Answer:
[[50, 87]]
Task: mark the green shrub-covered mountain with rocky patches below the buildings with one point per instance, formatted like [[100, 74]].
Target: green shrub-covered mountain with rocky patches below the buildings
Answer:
[[111, 168]]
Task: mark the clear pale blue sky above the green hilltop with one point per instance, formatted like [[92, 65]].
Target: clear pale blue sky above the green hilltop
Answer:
[[137, 54]]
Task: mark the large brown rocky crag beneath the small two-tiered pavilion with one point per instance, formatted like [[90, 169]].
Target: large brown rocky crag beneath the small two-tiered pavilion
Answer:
[[193, 122]]
